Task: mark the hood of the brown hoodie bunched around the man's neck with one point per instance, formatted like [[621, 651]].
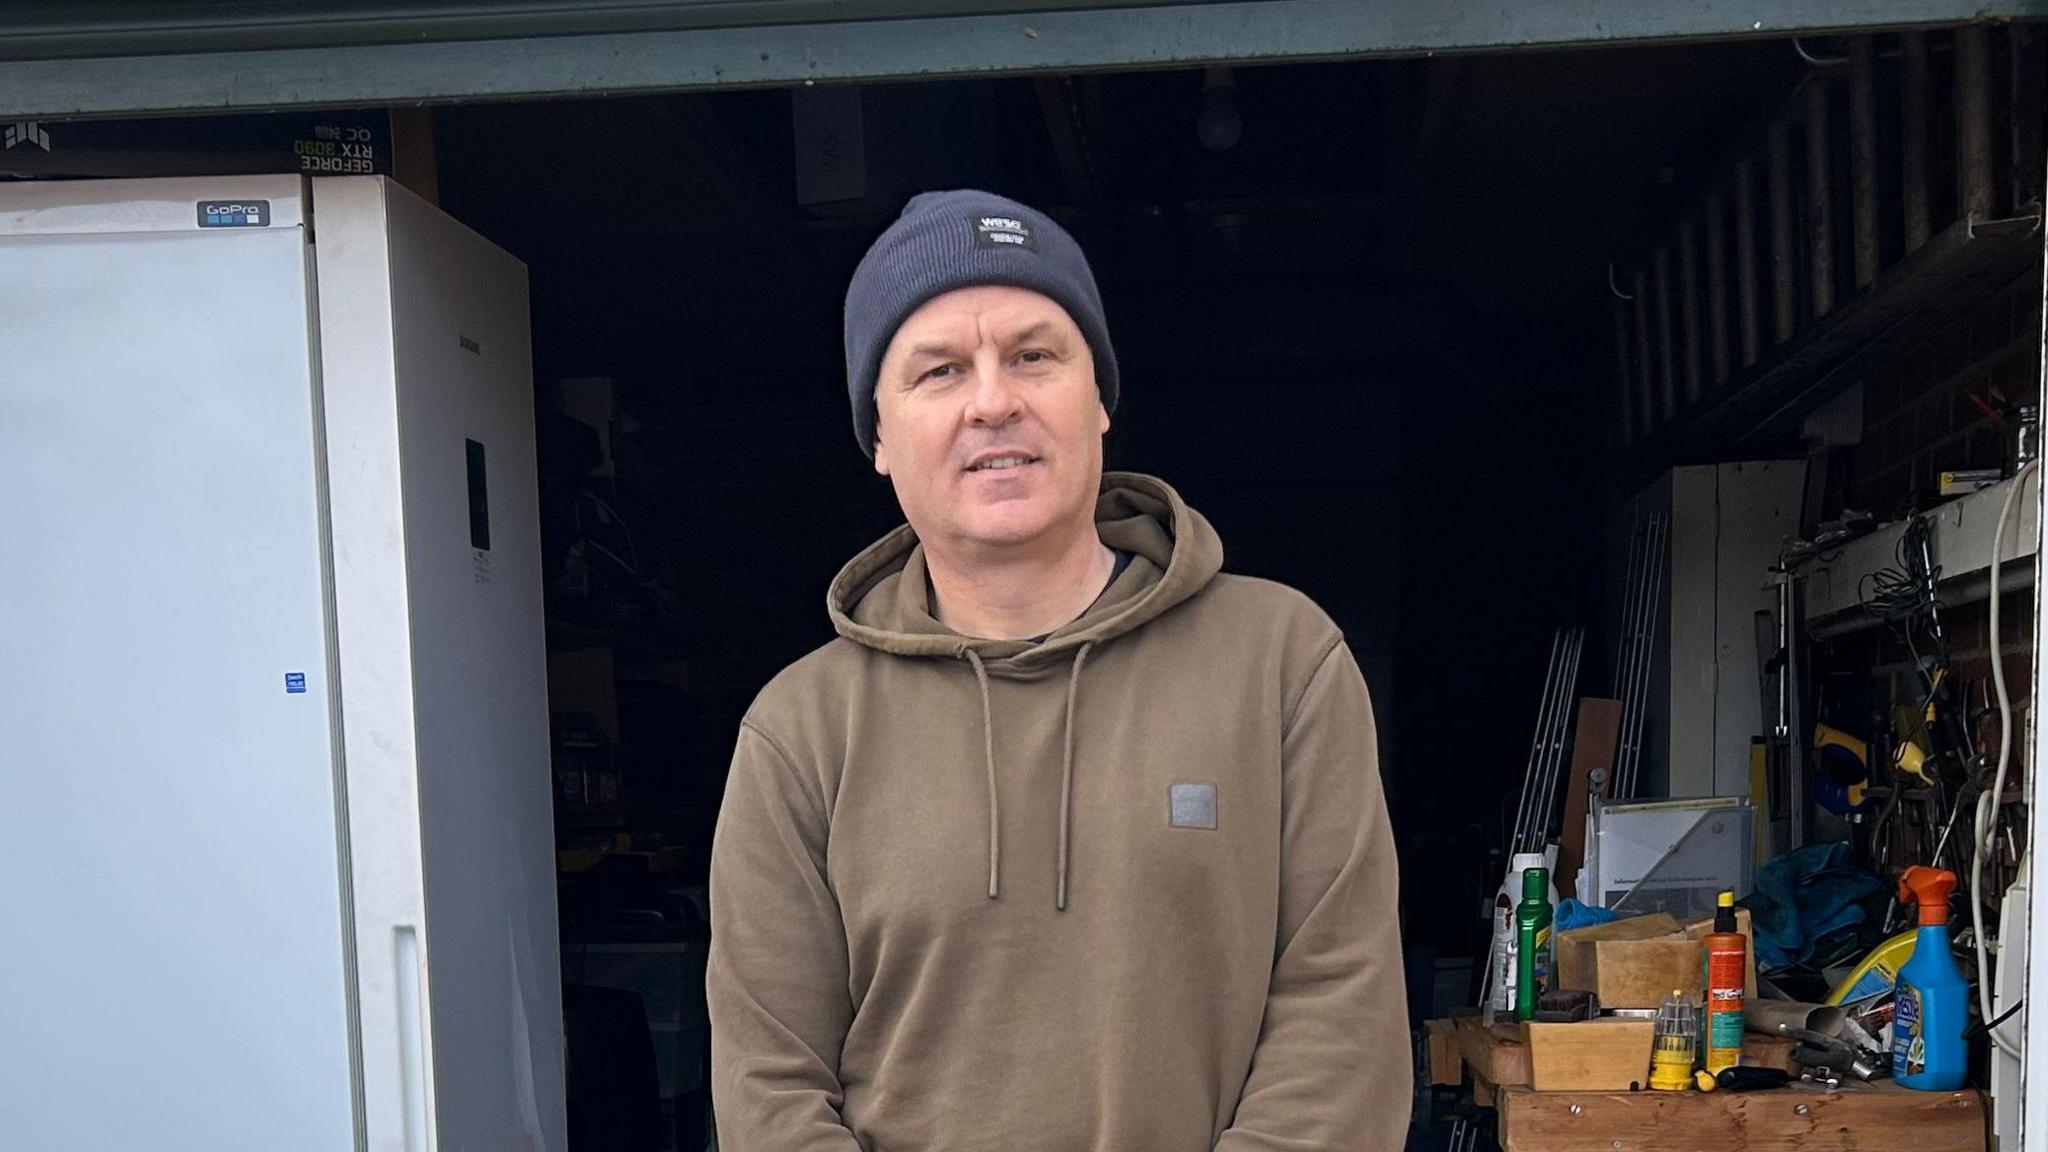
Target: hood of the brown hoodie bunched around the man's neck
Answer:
[[882, 598]]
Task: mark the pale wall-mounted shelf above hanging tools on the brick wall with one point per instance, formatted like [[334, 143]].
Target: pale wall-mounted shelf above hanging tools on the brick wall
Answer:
[[1961, 538]]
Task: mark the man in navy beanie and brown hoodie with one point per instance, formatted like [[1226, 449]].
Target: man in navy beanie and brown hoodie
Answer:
[[1068, 844]]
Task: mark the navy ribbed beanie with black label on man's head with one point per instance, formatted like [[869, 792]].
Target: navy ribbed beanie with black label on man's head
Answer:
[[953, 241]]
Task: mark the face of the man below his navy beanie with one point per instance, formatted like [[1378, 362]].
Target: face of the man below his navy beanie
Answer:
[[990, 419]]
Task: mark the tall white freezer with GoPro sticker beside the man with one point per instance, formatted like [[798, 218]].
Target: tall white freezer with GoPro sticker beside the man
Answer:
[[275, 813]]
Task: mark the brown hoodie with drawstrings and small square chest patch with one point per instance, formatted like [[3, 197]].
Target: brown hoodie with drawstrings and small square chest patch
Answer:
[[1123, 891]]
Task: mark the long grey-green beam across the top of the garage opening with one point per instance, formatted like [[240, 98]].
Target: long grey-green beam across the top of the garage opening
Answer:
[[945, 42]]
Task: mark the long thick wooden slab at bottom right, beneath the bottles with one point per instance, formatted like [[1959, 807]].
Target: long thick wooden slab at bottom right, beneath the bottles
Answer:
[[1859, 1118]]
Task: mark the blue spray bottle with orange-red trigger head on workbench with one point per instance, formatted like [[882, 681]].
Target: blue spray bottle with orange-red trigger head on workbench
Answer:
[[1934, 999]]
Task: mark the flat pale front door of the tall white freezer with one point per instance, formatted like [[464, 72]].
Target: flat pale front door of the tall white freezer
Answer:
[[173, 936]]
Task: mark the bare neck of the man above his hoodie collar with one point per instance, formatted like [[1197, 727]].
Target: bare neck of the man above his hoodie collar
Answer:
[[1023, 595]]
